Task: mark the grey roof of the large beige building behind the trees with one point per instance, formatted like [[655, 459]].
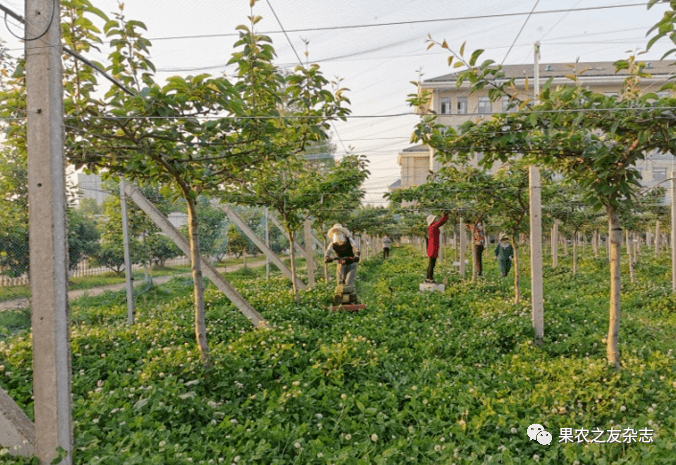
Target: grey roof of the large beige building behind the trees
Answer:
[[554, 70]]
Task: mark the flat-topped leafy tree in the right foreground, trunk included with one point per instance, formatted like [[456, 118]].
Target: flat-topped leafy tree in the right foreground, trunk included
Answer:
[[592, 139]]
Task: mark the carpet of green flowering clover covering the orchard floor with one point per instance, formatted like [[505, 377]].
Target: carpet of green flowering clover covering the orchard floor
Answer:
[[415, 378]]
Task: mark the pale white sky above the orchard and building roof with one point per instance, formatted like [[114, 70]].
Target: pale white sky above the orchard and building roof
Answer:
[[377, 48]]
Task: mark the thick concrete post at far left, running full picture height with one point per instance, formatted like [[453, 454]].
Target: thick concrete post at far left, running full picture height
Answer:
[[48, 236]]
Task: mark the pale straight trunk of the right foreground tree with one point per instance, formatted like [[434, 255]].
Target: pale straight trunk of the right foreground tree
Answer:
[[615, 241]]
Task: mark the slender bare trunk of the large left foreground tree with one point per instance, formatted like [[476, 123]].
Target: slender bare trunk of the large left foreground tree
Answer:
[[198, 283]]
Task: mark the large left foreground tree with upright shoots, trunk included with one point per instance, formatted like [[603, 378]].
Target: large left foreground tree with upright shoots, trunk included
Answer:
[[191, 134]]
